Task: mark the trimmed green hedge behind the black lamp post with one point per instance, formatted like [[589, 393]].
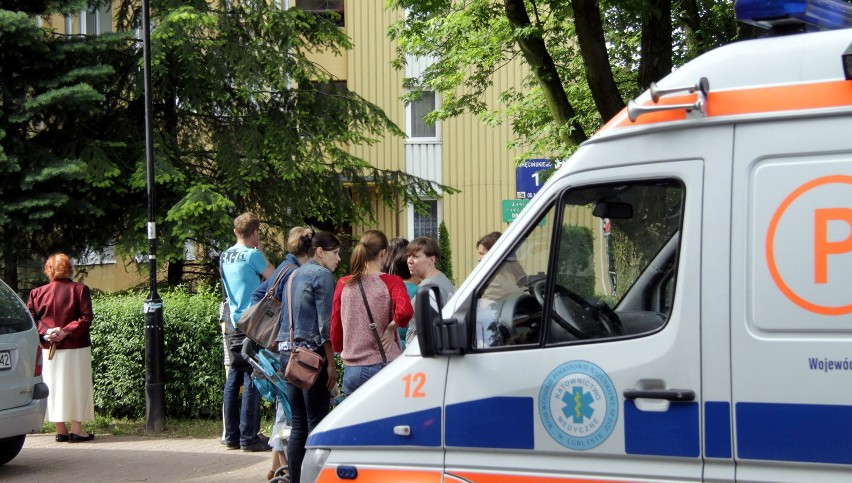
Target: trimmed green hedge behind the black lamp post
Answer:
[[194, 373]]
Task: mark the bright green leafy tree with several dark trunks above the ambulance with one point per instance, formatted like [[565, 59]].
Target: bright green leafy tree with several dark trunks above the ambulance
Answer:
[[586, 57]]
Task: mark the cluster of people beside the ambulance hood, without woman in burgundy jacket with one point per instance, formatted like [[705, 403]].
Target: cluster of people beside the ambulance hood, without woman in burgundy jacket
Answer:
[[365, 317]]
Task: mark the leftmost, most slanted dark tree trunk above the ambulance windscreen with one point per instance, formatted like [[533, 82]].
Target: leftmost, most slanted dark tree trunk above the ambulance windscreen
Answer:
[[544, 68]]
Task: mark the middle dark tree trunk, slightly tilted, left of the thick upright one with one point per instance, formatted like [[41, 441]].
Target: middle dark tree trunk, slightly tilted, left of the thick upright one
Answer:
[[590, 35]]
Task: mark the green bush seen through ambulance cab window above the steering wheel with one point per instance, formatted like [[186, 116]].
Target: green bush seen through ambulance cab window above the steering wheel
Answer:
[[576, 270]]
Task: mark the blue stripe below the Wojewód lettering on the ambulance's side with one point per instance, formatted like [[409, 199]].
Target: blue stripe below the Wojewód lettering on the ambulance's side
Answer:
[[812, 433]]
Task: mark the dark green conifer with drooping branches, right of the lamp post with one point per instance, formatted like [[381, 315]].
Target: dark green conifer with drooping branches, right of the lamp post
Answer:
[[245, 122]]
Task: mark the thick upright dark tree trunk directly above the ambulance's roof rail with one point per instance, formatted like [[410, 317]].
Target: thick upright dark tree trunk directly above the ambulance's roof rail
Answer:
[[656, 48]]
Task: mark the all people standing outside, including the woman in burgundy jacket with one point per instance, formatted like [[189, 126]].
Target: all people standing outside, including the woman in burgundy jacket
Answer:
[[365, 317]]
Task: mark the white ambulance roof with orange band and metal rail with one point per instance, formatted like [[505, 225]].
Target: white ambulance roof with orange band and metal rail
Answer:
[[789, 74]]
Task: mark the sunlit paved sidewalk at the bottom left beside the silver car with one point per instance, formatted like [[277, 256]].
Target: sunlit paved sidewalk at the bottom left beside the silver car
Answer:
[[133, 458]]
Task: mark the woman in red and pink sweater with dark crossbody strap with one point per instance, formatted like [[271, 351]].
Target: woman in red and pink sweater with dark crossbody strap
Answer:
[[364, 346]]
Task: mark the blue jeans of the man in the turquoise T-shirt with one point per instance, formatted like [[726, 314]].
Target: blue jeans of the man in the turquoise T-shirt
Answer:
[[242, 418]]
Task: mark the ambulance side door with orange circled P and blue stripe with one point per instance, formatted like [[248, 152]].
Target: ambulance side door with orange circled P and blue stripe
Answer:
[[791, 300]]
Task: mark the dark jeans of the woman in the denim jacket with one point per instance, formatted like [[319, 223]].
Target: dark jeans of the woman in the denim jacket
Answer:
[[308, 407]]
